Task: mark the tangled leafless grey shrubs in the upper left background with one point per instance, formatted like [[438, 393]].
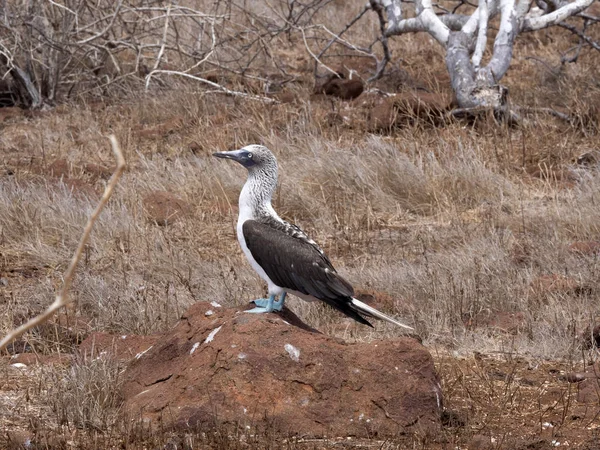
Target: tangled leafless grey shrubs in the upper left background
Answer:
[[55, 48]]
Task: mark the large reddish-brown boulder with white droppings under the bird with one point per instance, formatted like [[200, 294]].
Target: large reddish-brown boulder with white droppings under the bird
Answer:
[[263, 371]]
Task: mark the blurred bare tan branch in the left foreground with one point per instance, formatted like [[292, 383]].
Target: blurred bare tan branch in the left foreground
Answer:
[[62, 298]]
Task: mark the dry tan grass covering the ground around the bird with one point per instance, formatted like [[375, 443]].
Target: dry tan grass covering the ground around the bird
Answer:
[[458, 223]]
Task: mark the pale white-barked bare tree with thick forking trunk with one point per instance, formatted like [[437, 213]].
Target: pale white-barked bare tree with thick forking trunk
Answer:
[[465, 37]]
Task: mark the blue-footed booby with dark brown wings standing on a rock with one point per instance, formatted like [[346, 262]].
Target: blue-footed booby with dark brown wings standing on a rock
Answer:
[[281, 253]]
